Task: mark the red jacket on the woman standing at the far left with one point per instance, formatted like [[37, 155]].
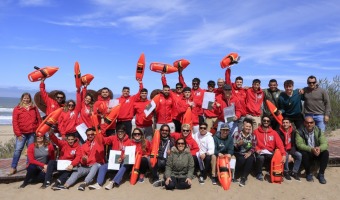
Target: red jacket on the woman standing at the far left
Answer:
[[25, 121]]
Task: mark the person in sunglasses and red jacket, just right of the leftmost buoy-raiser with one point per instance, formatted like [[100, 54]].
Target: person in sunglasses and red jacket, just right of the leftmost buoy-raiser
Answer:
[[68, 119]]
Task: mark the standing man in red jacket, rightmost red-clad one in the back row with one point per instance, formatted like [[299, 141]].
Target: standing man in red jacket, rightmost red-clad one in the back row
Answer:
[[254, 102]]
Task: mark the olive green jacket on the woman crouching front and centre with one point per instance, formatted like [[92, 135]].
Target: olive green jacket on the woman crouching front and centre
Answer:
[[180, 165]]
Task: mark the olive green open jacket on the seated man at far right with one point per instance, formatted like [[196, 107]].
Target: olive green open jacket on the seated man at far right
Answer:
[[319, 138]]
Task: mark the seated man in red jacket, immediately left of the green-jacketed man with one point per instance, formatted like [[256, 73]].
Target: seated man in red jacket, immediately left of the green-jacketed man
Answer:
[[288, 134]]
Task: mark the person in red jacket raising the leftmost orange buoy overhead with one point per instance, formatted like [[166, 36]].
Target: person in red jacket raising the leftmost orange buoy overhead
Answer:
[[51, 104]]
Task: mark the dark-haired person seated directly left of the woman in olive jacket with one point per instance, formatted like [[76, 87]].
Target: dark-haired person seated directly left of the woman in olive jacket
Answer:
[[163, 152]]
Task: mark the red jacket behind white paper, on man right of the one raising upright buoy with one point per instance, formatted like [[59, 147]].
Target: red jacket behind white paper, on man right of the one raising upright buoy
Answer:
[[141, 120]]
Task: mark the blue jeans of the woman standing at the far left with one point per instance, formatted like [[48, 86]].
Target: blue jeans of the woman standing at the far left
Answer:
[[19, 146]]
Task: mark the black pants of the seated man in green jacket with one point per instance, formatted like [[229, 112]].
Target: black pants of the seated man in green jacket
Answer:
[[308, 157]]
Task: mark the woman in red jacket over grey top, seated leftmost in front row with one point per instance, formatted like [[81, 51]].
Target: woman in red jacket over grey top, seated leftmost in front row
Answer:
[[39, 154]]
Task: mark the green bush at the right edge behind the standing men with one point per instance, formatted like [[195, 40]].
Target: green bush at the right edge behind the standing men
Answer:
[[333, 88]]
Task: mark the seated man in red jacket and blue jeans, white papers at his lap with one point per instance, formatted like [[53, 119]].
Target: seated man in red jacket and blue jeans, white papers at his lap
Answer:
[[118, 142]]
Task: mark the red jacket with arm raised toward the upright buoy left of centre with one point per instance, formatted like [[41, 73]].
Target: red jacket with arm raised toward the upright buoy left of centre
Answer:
[[126, 106]]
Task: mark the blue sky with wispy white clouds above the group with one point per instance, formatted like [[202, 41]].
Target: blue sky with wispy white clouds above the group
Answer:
[[275, 39]]
